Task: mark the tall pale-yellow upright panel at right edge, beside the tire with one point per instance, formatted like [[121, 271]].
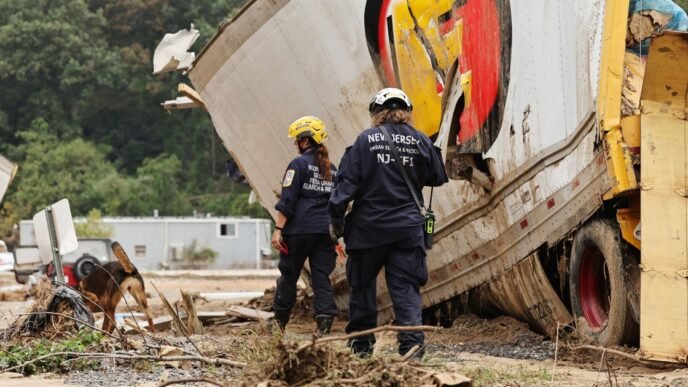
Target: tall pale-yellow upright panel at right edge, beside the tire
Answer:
[[664, 201]]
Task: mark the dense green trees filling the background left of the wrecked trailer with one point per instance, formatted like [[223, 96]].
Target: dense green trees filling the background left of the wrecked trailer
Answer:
[[80, 111]]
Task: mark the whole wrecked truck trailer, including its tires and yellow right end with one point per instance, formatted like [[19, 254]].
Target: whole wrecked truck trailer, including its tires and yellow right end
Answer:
[[538, 106]]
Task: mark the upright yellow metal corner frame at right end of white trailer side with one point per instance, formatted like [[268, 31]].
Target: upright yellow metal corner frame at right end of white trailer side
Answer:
[[619, 158]]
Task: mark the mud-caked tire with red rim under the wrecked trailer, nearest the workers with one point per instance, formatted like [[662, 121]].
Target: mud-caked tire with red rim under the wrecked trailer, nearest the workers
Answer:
[[597, 286]]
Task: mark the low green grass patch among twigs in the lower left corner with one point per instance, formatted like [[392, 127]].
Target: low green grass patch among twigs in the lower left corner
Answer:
[[84, 341]]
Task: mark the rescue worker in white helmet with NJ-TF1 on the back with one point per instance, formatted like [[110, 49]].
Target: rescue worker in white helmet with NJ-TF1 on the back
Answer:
[[385, 225]]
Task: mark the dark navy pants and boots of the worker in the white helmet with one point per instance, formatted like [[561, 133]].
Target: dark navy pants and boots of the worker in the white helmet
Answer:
[[405, 272]]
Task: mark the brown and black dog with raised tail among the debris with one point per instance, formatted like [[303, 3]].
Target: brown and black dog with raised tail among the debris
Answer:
[[106, 284]]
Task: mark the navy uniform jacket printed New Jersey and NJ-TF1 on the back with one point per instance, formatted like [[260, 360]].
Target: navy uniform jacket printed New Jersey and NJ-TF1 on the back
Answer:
[[384, 211]]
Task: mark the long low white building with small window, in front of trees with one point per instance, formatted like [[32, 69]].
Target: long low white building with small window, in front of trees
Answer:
[[155, 243]]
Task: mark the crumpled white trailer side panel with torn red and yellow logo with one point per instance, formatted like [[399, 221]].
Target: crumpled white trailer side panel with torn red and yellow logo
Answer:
[[523, 76]]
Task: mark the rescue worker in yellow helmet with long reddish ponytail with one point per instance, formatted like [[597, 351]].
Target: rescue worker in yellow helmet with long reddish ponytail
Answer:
[[301, 228]]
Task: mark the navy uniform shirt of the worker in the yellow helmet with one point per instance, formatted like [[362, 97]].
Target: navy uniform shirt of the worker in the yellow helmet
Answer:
[[304, 196]]
